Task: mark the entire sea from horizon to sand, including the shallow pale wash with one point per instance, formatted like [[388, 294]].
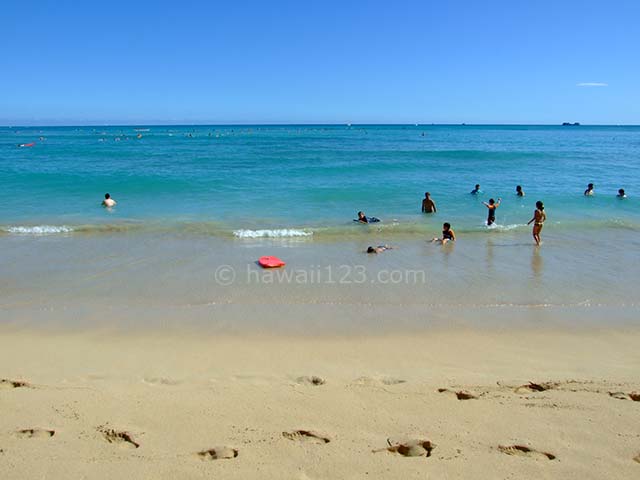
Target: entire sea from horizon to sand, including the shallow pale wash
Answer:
[[198, 205]]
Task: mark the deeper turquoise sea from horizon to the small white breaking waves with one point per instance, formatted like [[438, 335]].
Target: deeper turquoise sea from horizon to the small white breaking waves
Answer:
[[311, 180]]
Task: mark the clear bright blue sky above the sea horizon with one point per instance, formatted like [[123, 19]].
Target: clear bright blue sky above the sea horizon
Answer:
[[319, 62]]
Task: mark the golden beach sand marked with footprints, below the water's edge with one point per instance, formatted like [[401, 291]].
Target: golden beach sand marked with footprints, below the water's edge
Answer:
[[441, 404]]
